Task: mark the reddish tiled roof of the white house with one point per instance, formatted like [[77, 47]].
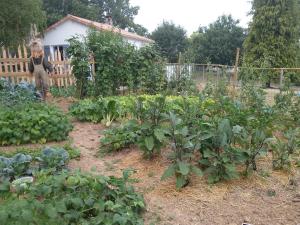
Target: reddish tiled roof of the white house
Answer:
[[100, 26]]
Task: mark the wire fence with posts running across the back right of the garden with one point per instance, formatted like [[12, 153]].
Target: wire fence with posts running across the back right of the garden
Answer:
[[203, 73]]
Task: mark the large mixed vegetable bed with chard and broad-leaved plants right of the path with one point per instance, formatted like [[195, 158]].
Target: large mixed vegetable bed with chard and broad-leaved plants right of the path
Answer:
[[211, 134]]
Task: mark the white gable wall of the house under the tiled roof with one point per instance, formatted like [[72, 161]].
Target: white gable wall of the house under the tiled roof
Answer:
[[60, 34]]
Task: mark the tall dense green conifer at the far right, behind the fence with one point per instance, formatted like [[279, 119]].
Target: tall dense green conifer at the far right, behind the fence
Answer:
[[272, 39]]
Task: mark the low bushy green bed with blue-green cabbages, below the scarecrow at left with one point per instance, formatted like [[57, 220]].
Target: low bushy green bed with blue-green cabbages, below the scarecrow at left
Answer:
[[25, 119]]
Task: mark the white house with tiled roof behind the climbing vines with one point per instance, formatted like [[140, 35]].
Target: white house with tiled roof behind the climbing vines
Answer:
[[56, 36]]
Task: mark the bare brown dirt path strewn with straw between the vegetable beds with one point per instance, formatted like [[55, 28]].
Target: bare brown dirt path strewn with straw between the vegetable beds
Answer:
[[260, 200]]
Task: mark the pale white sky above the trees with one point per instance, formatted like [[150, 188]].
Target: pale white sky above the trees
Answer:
[[190, 14]]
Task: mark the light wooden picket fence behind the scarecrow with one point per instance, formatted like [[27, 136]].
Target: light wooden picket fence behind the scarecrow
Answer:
[[14, 67]]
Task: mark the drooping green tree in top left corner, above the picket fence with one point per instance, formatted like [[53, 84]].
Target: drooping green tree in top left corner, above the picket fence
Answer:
[[16, 17]]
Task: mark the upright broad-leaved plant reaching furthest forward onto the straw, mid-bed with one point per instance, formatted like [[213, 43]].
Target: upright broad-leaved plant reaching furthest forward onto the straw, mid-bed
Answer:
[[183, 148]]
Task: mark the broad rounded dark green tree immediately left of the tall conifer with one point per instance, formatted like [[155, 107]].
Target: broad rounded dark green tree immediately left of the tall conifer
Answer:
[[218, 42]]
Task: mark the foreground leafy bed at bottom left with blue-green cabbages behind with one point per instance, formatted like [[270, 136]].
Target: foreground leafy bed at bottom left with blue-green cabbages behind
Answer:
[[40, 190]]
